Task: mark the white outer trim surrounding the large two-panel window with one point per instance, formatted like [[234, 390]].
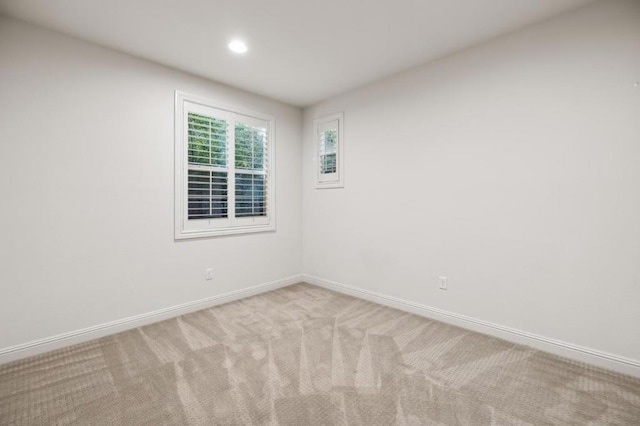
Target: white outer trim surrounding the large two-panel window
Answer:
[[240, 225]]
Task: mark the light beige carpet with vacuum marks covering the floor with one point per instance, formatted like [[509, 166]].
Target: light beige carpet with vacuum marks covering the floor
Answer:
[[303, 355]]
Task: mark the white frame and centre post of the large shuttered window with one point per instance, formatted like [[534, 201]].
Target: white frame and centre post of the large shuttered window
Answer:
[[198, 228]]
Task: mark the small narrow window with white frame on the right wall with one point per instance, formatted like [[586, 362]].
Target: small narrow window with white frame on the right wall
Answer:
[[329, 148]]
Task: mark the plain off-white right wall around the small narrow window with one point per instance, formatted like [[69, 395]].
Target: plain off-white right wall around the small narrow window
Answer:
[[512, 168]]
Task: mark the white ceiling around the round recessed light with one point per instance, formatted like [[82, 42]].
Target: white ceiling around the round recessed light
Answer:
[[300, 51]]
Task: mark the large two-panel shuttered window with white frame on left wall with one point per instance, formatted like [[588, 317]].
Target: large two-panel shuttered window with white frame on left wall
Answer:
[[223, 170]]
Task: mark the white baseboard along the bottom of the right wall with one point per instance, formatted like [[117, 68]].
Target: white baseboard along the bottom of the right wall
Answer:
[[557, 347]]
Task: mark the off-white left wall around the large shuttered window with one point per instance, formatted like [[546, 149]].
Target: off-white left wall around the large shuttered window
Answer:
[[86, 183]]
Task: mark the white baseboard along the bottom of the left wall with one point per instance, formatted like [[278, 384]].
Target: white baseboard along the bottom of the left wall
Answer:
[[36, 347]]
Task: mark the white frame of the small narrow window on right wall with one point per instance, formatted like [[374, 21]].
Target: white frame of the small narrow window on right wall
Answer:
[[329, 180]]
